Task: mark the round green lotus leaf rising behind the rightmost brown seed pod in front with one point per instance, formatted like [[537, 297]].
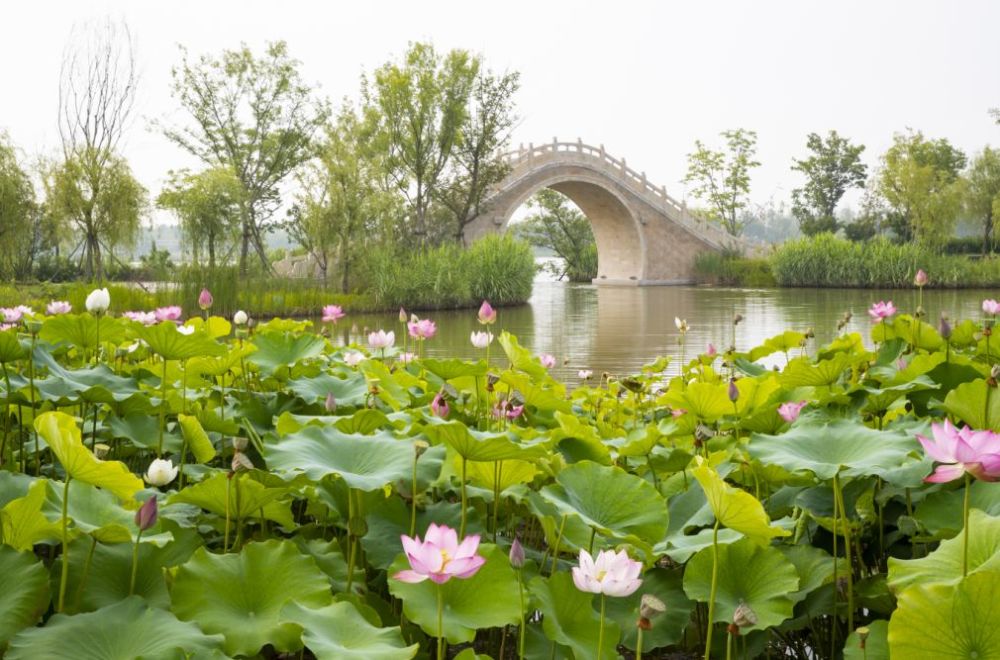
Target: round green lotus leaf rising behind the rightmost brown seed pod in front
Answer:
[[759, 576]]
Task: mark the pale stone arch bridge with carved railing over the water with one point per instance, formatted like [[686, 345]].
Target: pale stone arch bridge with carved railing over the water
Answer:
[[643, 235]]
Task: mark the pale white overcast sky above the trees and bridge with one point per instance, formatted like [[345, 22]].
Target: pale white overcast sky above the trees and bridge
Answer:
[[643, 78]]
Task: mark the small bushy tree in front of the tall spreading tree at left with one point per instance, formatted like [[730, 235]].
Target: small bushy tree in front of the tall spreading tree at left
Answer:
[[208, 204]]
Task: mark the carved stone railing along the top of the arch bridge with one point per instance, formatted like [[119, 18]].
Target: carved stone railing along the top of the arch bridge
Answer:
[[527, 157]]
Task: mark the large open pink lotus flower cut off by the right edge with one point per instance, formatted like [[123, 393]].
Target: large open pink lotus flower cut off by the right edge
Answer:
[[962, 450]]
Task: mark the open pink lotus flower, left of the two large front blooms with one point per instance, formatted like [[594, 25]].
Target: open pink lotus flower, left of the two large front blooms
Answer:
[[440, 556]]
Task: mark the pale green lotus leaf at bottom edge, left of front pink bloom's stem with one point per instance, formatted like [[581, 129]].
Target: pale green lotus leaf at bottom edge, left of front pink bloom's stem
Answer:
[[339, 632]]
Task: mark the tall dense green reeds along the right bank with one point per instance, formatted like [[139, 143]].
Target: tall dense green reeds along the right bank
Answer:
[[828, 261]]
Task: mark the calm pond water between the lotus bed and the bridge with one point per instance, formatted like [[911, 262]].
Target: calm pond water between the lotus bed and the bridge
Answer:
[[618, 329]]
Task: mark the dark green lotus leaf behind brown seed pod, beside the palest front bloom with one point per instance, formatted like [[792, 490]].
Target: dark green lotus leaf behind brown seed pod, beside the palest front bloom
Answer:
[[668, 628]]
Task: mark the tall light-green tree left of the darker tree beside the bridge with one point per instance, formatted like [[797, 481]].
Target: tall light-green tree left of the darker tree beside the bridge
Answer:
[[416, 110]]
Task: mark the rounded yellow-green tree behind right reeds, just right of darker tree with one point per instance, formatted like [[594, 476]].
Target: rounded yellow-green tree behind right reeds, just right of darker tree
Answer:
[[920, 181]]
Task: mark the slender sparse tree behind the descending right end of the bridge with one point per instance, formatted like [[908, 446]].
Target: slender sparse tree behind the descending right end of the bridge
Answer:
[[722, 178]]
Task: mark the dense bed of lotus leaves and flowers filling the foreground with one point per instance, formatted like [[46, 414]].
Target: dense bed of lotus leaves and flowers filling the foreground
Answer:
[[211, 490]]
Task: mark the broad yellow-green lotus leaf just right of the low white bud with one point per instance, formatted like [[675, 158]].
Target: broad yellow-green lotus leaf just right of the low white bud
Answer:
[[212, 493]]
